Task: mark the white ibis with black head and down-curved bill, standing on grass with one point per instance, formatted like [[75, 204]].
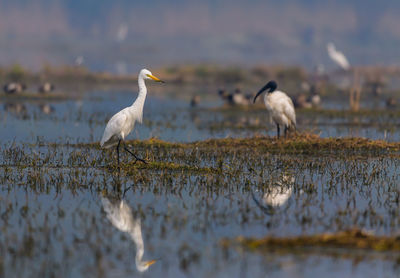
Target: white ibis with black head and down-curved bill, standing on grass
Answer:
[[279, 106]]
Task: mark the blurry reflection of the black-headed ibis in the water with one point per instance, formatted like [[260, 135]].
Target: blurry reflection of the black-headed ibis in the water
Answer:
[[277, 196]]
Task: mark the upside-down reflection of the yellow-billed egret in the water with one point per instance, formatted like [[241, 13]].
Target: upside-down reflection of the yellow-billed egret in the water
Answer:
[[121, 217]]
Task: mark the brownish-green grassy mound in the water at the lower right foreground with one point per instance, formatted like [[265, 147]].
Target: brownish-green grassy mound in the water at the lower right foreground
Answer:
[[352, 239]]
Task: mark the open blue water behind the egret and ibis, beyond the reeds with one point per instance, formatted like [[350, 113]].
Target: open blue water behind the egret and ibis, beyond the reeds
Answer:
[[171, 119]]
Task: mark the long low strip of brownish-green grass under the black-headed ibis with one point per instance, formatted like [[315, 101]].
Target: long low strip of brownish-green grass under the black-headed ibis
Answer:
[[295, 144]]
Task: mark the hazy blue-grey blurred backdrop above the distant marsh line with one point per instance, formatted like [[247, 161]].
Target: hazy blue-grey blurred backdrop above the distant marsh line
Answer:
[[123, 35]]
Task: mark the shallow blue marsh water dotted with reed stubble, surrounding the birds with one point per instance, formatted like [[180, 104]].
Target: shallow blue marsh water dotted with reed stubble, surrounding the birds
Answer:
[[53, 222]]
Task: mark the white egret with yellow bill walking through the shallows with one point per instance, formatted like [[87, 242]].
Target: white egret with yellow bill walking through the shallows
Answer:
[[122, 123]]
